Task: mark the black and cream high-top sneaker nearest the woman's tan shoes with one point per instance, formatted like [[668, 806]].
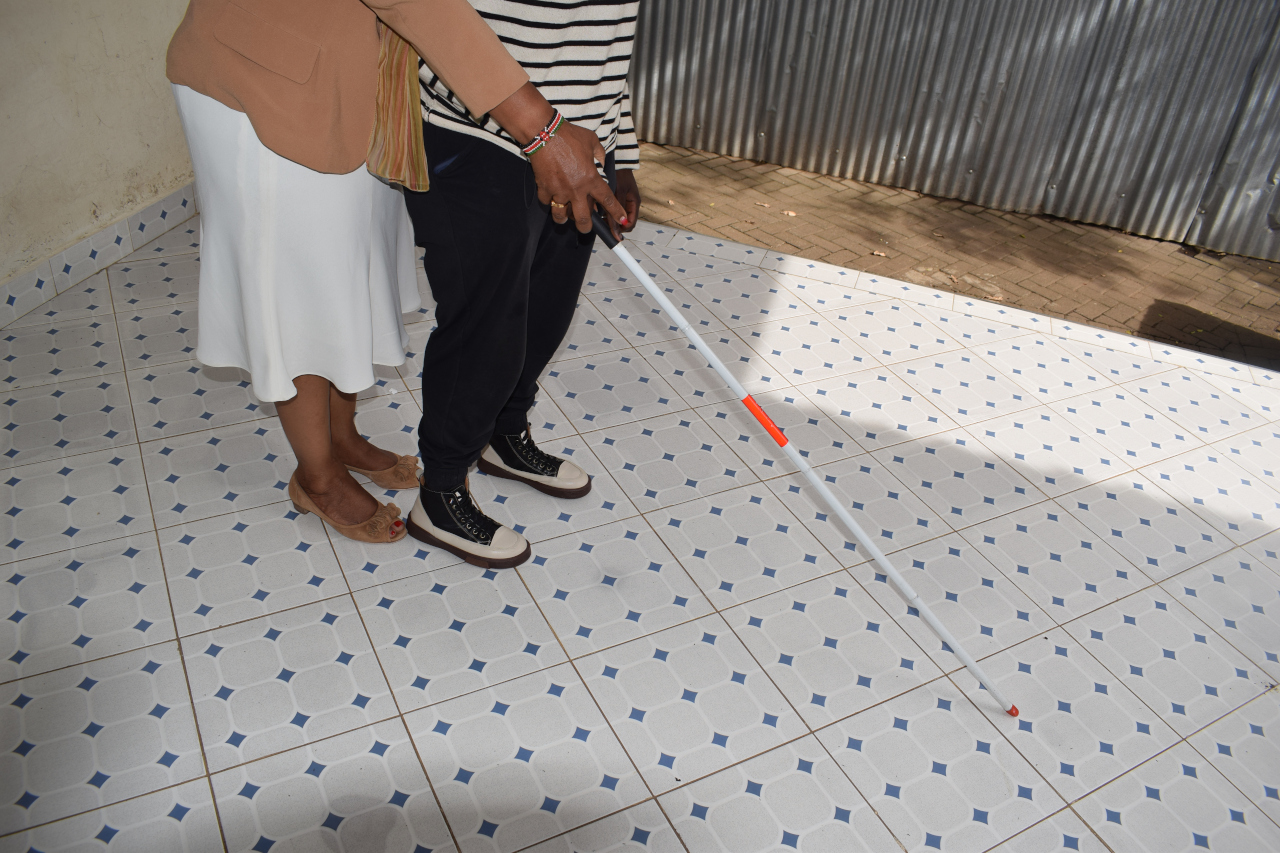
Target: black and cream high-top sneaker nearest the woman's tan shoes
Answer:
[[452, 521]]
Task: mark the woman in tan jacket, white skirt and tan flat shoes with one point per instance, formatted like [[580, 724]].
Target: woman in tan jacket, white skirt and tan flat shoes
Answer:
[[307, 257]]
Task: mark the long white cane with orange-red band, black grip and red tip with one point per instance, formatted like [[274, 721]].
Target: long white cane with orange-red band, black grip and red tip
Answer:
[[879, 558]]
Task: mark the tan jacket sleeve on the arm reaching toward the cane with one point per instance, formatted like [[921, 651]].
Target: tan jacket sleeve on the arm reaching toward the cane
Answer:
[[459, 45]]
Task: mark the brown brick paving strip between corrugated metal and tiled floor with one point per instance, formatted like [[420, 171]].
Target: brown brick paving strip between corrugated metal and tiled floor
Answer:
[[1224, 305]]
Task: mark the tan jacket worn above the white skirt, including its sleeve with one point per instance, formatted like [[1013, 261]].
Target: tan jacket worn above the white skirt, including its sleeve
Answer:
[[307, 71]]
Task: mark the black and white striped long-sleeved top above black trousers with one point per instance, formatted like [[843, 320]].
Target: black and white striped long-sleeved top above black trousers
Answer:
[[577, 52]]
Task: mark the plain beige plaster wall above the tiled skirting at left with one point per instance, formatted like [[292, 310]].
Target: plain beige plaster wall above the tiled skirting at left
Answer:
[[89, 133]]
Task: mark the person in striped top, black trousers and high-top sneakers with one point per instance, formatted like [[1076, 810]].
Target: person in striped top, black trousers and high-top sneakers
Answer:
[[506, 276]]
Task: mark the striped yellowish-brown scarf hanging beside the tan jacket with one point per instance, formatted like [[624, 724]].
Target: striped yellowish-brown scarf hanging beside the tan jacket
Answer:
[[396, 149]]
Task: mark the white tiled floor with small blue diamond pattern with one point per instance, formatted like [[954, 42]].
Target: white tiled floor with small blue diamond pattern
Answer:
[[696, 658]]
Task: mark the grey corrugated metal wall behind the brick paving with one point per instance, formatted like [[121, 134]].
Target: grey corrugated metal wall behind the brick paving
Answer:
[[1160, 117]]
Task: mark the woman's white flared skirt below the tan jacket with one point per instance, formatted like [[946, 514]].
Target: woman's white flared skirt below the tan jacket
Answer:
[[301, 272]]
